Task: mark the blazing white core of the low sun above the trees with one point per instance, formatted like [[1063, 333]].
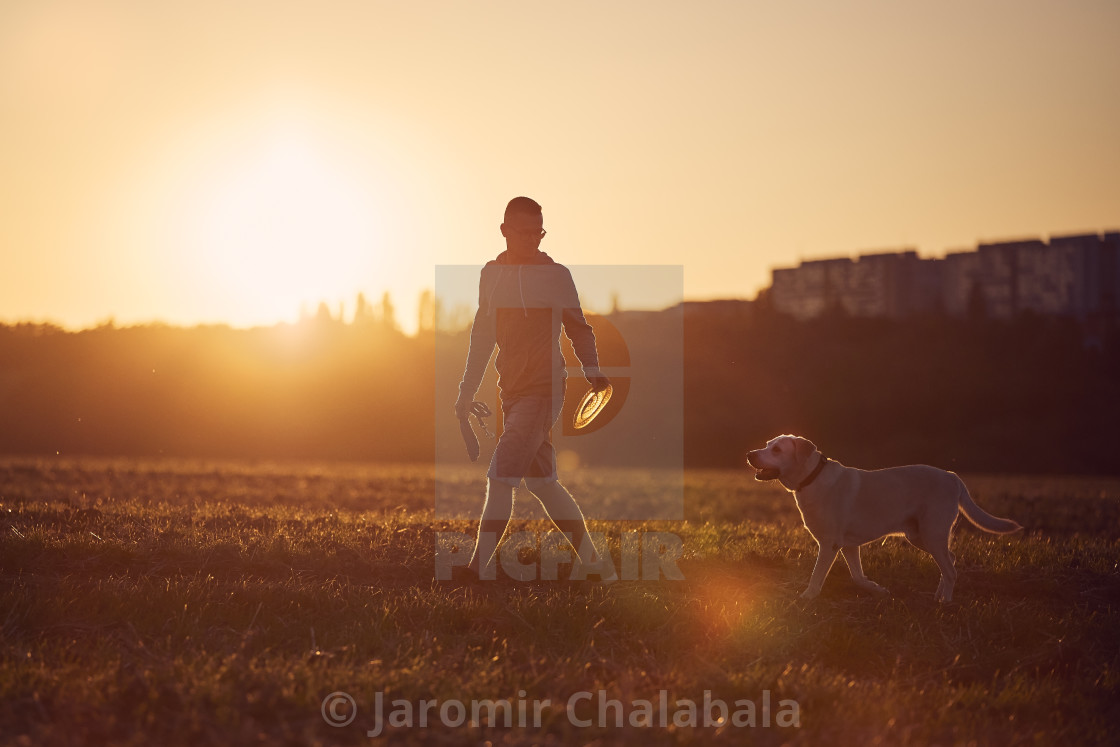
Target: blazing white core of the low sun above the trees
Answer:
[[285, 228]]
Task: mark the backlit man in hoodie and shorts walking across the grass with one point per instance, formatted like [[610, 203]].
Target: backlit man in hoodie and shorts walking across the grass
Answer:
[[525, 298]]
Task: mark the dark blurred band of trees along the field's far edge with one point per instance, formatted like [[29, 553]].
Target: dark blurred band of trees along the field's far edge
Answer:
[[1028, 396]]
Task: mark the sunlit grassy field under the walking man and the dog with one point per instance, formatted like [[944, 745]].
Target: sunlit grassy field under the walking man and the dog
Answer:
[[189, 603]]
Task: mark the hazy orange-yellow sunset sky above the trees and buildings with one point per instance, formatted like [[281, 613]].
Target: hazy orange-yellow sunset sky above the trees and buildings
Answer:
[[234, 162]]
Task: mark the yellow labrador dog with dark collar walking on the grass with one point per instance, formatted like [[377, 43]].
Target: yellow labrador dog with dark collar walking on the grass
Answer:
[[844, 508]]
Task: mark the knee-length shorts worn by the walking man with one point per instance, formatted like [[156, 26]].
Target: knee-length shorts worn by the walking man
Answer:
[[525, 449]]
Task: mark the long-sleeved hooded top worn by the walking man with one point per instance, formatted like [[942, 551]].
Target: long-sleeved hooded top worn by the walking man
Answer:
[[521, 309]]
